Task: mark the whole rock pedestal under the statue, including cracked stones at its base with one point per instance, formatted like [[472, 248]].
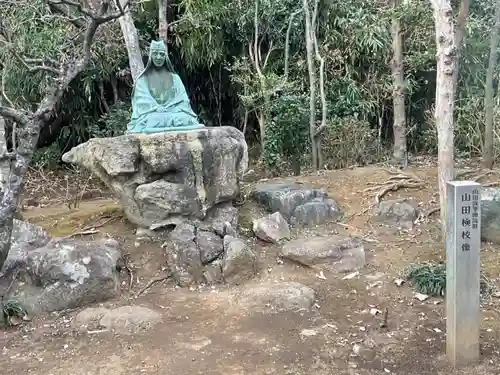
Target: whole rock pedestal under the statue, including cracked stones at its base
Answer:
[[185, 181]]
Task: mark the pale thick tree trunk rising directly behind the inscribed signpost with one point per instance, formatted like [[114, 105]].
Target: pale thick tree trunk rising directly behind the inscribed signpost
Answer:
[[445, 100]]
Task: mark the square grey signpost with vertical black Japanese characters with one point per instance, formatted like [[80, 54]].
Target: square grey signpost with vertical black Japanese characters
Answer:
[[463, 242]]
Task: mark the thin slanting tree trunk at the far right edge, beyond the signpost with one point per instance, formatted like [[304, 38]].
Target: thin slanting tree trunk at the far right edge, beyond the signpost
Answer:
[[488, 97]]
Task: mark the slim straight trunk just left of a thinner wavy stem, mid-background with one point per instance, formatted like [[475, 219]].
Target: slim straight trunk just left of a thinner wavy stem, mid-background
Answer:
[[312, 83]]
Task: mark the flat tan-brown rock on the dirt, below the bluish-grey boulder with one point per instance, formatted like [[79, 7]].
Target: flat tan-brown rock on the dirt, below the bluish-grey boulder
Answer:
[[335, 252]]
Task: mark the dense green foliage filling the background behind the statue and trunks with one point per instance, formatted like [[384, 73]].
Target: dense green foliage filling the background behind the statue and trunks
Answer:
[[208, 36]]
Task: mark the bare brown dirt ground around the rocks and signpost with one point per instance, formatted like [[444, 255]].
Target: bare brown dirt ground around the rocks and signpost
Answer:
[[205, 332]]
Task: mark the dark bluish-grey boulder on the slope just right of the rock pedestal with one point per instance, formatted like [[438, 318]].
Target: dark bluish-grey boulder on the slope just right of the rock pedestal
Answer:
[[300, 205]]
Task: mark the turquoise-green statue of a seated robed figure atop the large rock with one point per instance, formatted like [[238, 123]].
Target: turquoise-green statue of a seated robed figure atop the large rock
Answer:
[[159, 99]]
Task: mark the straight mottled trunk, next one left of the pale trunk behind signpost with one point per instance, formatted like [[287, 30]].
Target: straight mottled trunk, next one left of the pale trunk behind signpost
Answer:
[[398, 92]]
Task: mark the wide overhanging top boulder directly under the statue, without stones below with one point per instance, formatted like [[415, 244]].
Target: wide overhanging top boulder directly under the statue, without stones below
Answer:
[[168, 178]]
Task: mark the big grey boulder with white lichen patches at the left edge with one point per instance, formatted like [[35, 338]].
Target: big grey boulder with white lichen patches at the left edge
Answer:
[[62, 273]]
